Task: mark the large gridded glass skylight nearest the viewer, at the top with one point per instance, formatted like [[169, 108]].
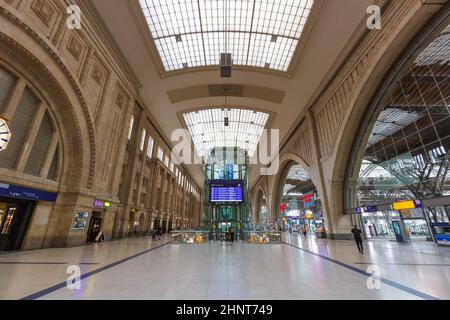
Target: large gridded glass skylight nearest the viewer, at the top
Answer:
[[258, 33]]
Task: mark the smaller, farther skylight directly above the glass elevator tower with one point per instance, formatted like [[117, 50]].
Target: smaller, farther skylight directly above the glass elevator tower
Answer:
[[218, 127]]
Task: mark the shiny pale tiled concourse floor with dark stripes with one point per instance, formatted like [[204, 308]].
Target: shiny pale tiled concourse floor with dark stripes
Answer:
[[302, 268]]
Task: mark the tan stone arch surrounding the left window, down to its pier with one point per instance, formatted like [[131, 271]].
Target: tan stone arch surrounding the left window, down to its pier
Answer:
[[43, 71]]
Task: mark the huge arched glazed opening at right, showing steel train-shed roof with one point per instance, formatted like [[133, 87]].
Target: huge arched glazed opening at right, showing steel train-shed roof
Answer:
[[405, 153]]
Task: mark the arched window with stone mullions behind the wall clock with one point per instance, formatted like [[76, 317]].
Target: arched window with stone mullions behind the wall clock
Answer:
[[33, 148]]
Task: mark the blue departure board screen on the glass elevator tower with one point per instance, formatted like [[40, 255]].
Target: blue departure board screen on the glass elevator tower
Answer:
[[226, 191]]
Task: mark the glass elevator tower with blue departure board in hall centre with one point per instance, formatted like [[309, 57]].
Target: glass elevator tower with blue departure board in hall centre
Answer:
[[226, 200]]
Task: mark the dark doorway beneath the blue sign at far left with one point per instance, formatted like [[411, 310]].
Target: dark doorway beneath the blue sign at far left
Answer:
[[15, 217]]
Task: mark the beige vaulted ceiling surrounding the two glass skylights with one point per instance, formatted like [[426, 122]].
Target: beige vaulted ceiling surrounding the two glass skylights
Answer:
[[323, 45]]
